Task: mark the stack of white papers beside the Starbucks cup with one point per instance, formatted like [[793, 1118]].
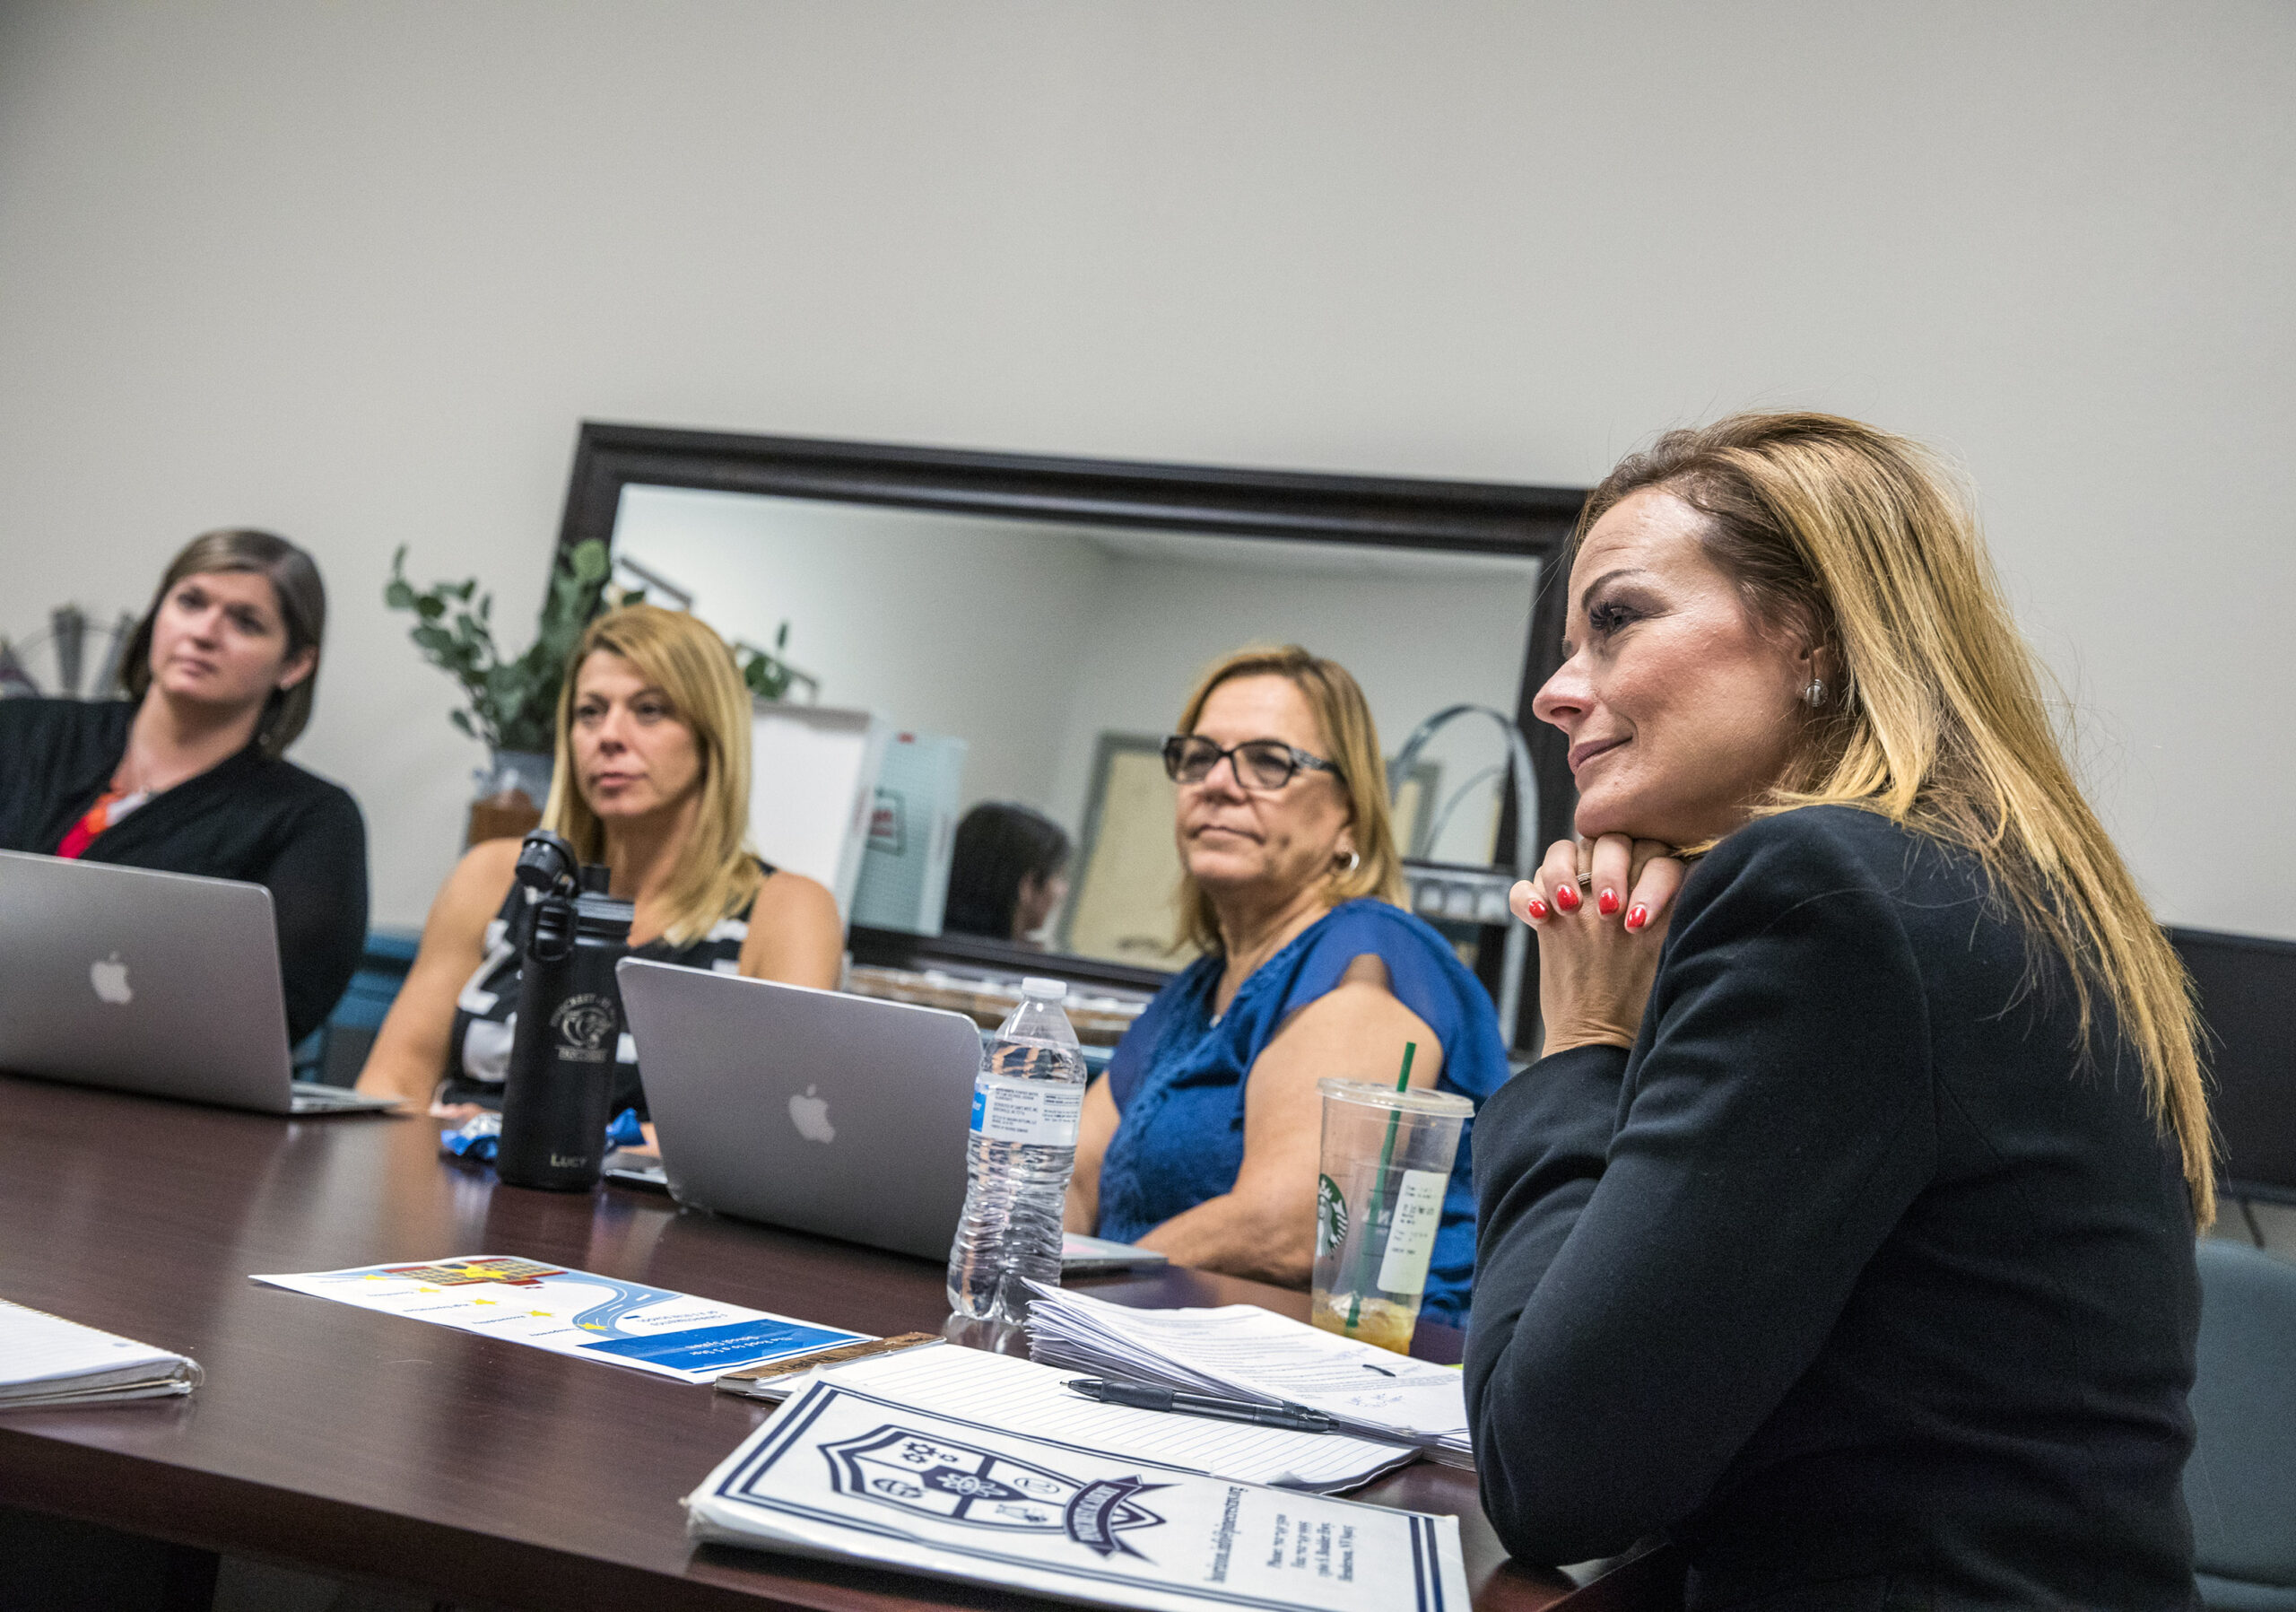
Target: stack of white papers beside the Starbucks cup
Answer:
[[1243, 1351]]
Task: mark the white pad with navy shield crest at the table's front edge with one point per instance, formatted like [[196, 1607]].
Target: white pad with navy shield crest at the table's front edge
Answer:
[[844, 1473]]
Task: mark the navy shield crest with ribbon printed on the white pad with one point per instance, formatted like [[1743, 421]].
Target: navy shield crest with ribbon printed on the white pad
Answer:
[[952, 1482]]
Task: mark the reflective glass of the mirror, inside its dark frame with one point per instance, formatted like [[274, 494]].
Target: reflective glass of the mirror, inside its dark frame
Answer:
[[1002, 690]]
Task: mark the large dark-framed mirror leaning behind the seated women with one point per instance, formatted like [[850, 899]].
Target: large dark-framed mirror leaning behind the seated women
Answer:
[[1032, 628]]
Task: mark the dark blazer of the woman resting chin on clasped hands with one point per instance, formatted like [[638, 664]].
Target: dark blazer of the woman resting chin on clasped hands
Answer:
[[1849, 1278]]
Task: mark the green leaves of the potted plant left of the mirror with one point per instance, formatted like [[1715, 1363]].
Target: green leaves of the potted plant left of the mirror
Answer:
[[513, 704]]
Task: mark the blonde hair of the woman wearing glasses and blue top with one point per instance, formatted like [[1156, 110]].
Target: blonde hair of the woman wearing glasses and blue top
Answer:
[[1347, 724]]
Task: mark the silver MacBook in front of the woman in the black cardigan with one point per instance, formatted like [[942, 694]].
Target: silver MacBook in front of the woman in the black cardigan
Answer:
[[148, 982]]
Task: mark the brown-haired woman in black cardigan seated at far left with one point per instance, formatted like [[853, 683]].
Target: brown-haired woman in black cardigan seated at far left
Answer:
[[187, 773]]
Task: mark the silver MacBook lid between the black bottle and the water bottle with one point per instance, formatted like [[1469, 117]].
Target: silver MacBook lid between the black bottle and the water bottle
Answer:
[[807, 1108]]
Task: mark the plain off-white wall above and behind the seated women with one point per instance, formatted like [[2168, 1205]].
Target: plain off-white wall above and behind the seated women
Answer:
[[357, 272]]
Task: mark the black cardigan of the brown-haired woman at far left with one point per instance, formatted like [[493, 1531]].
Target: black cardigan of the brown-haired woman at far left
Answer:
[[247, 819]]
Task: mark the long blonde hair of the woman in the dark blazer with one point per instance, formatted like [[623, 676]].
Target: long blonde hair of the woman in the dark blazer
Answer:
[[1865, 543]]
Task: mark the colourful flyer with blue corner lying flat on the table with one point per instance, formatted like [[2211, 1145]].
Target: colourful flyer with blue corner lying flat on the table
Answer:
[[573, 1312]]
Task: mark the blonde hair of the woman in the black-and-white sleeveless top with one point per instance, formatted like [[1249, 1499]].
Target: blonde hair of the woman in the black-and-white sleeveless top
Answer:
[[717, 871]]
